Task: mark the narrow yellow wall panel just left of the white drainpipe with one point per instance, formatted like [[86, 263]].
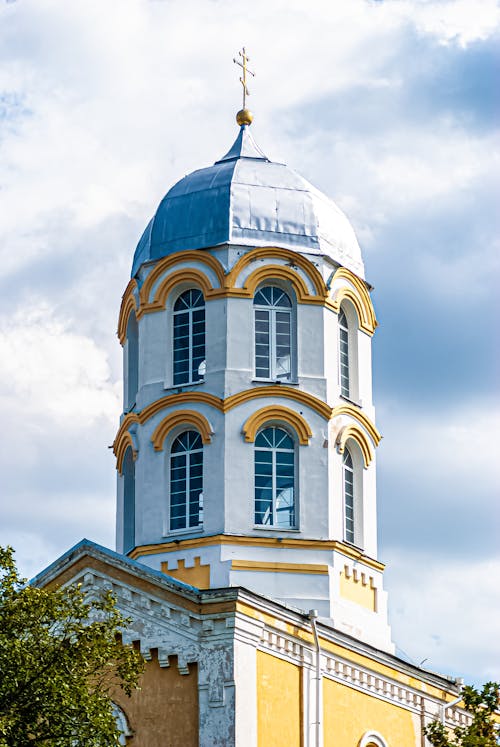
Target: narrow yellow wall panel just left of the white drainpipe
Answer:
[[278, 702]]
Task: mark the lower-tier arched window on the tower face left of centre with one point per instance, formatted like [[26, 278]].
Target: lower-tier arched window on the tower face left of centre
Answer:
[[186, 481]]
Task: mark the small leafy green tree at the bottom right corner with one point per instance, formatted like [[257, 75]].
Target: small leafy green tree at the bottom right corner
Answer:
[[482, 705]]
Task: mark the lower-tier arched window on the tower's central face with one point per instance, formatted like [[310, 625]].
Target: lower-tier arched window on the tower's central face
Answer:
[[275, 478]]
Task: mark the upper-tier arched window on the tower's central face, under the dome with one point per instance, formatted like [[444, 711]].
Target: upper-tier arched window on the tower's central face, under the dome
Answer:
[[273, 333]]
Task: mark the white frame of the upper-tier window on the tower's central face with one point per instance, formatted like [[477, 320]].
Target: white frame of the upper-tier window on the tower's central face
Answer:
[[272, 310]]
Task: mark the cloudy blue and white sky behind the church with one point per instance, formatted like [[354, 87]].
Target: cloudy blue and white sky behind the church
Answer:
[[389, 107]]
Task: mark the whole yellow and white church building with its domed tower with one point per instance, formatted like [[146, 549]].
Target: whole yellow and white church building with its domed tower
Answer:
[[246, 471]]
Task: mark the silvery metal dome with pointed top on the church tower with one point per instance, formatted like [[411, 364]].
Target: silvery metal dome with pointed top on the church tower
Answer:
[[246, 199]]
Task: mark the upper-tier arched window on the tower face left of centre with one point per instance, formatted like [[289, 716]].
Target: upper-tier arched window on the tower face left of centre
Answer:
[[189, 337]]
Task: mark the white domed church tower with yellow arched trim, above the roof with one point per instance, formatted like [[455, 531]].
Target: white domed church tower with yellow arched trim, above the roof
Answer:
[[246, 449]]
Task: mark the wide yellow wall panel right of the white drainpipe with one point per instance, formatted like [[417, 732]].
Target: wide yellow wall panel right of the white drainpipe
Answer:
[[349, 714]]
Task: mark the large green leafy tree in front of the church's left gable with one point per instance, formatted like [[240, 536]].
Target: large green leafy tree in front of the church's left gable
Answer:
[[61, 659]]
